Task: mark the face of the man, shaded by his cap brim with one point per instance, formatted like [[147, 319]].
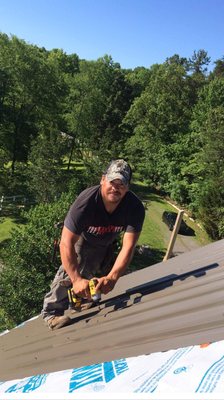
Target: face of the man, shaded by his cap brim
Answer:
[[114, 191]]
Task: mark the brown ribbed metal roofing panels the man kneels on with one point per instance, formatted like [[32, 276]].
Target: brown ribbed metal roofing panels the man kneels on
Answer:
[[165, 306]]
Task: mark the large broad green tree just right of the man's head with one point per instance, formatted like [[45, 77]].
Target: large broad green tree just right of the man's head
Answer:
[[160, 119]]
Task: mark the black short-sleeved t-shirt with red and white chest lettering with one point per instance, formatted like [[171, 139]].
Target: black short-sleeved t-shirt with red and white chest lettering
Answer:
[[88, 217]]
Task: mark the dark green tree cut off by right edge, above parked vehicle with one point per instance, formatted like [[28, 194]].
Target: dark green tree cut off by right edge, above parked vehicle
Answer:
[[208, 130]]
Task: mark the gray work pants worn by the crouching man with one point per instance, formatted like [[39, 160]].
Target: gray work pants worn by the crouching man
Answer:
[[94, 261]]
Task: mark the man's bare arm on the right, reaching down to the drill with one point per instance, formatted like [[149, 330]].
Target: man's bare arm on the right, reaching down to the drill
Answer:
[[124, 257]]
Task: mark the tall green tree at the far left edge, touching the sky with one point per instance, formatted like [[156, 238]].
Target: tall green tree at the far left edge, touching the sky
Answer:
[[30, 95]]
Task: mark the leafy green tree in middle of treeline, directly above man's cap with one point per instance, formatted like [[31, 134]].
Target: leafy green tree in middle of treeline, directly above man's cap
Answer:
[[100, 97]]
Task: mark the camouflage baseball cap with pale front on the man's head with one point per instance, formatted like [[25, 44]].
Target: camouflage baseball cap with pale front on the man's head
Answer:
[[119, 169]]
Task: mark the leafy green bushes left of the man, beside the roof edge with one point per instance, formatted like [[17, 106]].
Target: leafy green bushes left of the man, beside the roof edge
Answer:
[[29, 266]]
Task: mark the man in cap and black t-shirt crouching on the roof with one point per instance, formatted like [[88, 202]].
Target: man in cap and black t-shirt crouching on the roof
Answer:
[[95, 219]]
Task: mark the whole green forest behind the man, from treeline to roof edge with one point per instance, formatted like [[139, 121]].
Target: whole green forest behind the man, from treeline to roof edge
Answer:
[[62, 119]]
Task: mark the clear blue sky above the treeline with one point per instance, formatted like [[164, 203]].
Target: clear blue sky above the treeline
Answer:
[[134, 32]]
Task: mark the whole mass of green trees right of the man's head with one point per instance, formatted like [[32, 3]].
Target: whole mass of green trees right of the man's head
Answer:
[[179, 154]]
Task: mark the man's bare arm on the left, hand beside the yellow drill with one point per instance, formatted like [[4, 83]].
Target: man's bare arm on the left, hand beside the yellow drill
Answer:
[[70, 262]]
